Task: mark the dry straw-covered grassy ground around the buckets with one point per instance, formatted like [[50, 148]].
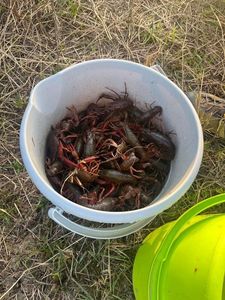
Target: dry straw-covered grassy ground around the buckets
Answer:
[[39, 260]]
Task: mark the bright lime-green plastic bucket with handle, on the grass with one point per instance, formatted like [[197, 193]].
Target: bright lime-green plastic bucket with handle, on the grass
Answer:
[[185, 259]]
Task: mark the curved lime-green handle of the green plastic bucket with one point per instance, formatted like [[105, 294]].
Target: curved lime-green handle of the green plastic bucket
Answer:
[[169, 239]]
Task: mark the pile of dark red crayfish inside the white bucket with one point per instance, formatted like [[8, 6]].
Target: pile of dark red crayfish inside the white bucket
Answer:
[[112, 156]]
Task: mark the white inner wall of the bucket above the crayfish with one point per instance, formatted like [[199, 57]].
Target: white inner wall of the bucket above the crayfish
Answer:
[[83, 84]]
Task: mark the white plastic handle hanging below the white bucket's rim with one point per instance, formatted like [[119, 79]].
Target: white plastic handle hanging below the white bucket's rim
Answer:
[[117, 231]]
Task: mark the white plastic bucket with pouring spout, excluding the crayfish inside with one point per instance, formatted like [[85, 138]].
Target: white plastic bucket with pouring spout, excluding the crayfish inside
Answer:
[[81, 84]]
